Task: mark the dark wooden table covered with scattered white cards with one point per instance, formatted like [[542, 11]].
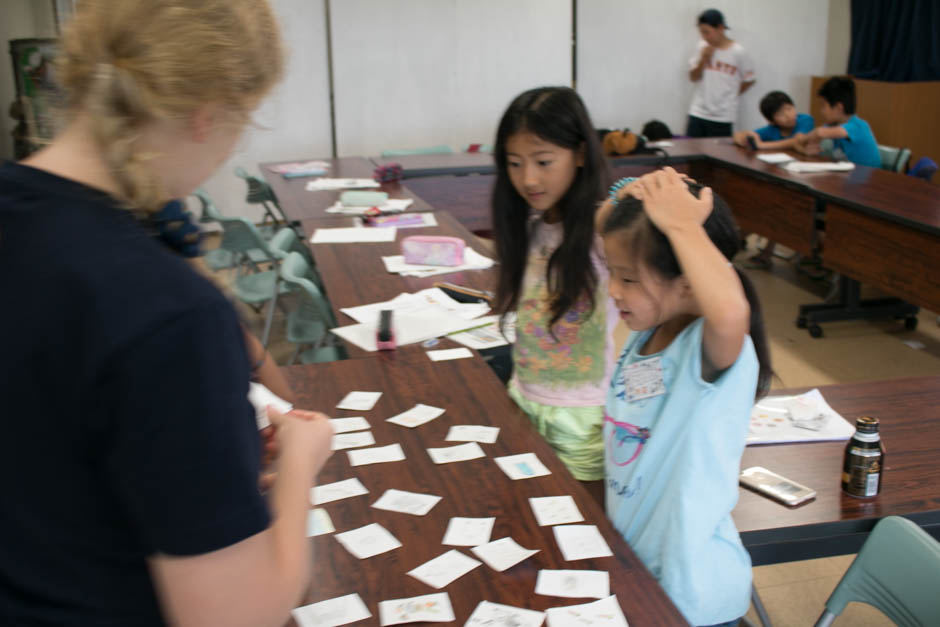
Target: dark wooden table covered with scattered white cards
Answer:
[[470, 394]]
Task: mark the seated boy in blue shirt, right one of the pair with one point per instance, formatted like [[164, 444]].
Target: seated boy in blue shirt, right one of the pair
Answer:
[[851, 136]]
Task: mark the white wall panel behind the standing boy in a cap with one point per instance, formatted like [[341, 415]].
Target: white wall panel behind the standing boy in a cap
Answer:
[[633, 56]]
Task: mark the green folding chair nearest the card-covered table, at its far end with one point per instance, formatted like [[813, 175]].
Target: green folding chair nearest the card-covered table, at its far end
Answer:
[[309, 324]]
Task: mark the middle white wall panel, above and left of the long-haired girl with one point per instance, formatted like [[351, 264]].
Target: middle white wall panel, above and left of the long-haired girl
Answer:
[[416, 73]]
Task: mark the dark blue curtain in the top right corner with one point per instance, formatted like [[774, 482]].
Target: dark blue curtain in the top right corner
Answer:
[[895, 40]]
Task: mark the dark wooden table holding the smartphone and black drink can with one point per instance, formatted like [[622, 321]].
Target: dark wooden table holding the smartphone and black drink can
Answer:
[[909, 414]]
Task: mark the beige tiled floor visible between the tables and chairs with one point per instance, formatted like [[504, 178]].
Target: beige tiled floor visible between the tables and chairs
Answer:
[[794, 593]]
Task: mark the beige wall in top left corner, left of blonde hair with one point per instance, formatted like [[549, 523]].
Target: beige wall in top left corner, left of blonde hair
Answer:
[[19, 19]]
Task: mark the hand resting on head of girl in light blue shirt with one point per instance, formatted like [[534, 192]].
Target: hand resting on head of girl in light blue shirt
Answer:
[[669, 203]]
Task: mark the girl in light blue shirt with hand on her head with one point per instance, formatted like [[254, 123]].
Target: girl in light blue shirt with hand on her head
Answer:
[[679, 402]]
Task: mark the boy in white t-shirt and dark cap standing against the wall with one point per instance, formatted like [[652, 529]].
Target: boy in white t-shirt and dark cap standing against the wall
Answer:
[[723, 71]]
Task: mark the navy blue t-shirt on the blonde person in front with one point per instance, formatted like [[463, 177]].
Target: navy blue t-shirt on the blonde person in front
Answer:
[[126, 429]]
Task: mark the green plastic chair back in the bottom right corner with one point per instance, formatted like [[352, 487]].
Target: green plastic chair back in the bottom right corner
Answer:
[[897, 571]]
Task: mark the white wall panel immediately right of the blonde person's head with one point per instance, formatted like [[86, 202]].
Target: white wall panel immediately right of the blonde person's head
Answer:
[[294, 120]]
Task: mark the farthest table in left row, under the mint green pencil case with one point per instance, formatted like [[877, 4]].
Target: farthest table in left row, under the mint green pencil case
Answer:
[[300, 204]]
